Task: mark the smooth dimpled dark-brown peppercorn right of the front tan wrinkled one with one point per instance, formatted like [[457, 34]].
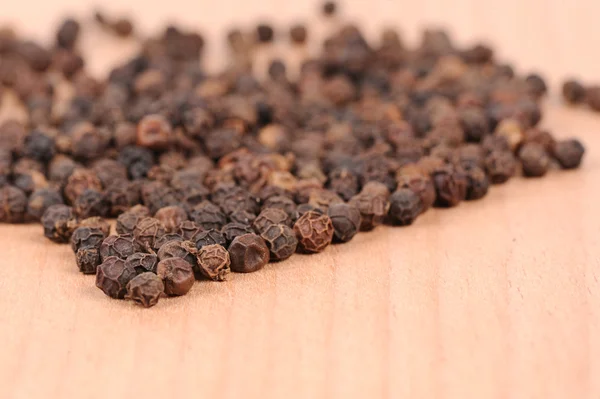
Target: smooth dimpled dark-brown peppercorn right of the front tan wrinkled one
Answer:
[[248, 253]]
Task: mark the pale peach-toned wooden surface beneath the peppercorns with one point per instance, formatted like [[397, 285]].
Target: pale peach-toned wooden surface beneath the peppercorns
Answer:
[[494, 299]]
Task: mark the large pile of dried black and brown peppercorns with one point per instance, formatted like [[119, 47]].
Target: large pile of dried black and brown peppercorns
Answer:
[[208, 174]]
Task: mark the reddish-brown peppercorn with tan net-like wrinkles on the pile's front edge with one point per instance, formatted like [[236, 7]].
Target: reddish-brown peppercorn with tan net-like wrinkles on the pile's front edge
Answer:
[[314, 231]]
